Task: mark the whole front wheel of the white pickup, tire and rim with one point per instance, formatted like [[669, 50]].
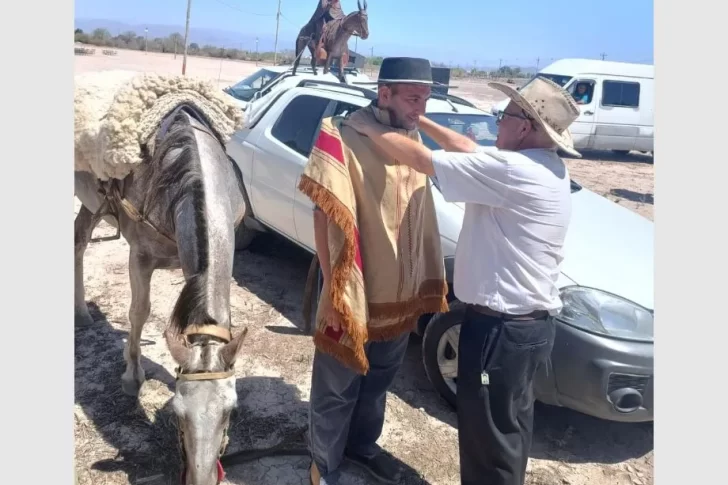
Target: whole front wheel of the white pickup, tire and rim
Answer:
[[440, 351]]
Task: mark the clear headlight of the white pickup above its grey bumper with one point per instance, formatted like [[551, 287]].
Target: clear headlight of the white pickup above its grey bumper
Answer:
[[603, 313]]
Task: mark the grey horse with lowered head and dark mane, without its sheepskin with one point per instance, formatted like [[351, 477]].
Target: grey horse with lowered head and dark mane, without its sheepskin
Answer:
[[189, 193]]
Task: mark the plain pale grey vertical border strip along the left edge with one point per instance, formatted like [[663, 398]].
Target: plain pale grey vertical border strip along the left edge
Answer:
[[37, 355]]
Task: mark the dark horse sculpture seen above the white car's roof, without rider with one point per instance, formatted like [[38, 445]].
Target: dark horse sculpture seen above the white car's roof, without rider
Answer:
[[333, 39]]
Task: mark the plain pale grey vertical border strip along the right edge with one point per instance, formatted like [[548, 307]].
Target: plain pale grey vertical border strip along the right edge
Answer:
[[691, 265]]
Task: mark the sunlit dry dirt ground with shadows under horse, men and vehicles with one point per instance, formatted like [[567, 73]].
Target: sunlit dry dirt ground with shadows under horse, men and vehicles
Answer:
[[120, 441]]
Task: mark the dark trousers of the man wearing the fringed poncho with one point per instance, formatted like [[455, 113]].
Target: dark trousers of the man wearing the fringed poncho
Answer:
[[347, 409]]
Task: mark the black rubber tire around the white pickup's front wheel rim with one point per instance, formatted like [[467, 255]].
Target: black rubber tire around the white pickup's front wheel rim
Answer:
[[437, 327]]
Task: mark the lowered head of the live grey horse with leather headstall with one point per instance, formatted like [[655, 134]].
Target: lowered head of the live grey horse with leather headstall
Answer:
[[204, 397]]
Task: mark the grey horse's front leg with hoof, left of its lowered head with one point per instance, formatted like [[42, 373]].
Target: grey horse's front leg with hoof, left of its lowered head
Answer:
[[140, 276]]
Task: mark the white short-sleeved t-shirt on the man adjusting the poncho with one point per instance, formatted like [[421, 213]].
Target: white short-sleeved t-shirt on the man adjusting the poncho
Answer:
[[517, 211]]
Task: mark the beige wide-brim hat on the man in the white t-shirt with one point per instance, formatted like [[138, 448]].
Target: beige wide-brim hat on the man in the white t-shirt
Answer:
[[550, 106]]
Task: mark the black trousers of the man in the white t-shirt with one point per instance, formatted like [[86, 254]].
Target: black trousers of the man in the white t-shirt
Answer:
[[497, 361]]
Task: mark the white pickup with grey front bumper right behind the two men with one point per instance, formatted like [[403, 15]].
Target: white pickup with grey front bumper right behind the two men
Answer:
[[602, 362]]
